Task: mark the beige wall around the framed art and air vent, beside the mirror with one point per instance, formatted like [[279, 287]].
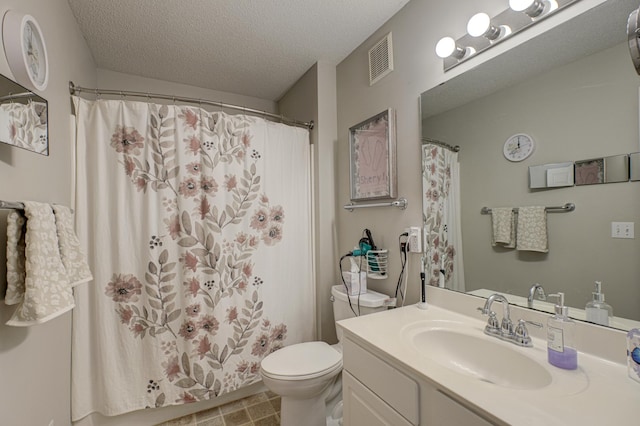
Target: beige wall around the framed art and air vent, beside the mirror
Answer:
[[416, 30]]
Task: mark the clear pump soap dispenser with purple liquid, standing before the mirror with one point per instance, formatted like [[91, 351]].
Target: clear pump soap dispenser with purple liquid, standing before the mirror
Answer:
[[561, 350]]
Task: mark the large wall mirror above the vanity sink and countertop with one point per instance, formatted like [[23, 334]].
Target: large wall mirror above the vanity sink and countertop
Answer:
[[575, 91]]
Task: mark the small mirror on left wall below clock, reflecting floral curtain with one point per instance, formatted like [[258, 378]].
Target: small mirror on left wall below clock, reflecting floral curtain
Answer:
[[23, 117]]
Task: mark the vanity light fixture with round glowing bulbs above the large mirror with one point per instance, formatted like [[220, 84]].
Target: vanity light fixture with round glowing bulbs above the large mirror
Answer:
[[484, 31]]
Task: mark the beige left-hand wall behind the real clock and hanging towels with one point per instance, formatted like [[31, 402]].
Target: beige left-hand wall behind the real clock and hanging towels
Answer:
[[35, 361]]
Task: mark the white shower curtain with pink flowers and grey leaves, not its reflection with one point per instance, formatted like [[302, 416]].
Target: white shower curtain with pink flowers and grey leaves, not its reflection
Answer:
[[198, 228]]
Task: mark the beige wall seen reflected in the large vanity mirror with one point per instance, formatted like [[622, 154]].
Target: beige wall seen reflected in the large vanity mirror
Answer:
[[583, 110]]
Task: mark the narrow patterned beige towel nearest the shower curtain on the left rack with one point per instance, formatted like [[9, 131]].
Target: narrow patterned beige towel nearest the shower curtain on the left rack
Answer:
[[73, 259]]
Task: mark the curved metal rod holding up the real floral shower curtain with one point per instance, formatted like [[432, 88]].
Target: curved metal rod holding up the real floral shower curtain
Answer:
[[73, 89]]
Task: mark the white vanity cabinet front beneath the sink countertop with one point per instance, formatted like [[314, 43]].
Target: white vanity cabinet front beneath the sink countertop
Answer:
[[378, 393]]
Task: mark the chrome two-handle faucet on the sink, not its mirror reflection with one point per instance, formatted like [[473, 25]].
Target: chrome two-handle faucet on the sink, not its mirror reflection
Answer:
[[519, 336]]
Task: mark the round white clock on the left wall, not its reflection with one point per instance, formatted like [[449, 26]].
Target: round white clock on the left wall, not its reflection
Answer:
[[25, 49]]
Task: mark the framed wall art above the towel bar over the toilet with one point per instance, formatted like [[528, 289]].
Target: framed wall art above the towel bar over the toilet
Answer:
[[372, 157]]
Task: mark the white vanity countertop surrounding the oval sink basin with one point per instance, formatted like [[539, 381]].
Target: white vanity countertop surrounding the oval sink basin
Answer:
[[599, 392]]
